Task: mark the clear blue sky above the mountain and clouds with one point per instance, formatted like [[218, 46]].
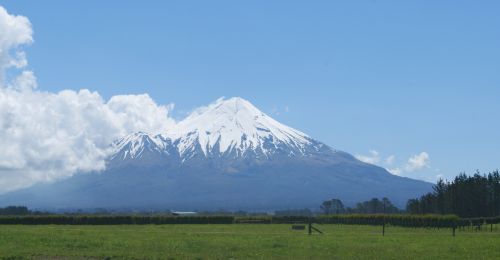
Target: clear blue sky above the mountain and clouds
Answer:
[[397, 77]]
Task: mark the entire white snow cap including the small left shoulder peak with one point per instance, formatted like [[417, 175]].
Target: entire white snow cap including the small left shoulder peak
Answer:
[[226, 127]]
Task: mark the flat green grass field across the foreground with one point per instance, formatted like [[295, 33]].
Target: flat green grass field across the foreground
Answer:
[[244, 242]]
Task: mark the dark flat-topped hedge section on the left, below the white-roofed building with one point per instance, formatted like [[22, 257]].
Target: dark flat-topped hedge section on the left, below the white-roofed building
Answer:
[[114, 220]]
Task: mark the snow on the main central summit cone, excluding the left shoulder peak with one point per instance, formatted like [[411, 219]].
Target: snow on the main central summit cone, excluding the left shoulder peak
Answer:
[[234, 125]]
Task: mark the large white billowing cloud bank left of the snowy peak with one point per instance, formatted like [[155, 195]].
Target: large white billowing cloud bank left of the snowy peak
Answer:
[[47, 136]]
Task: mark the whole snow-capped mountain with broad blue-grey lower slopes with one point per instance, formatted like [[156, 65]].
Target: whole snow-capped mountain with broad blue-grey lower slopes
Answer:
[[228, 155]]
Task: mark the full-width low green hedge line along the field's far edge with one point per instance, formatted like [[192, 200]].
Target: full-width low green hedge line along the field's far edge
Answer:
[[435, 221]]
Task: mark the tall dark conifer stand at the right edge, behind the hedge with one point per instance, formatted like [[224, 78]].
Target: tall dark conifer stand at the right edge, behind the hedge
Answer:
[[466, 196]]
